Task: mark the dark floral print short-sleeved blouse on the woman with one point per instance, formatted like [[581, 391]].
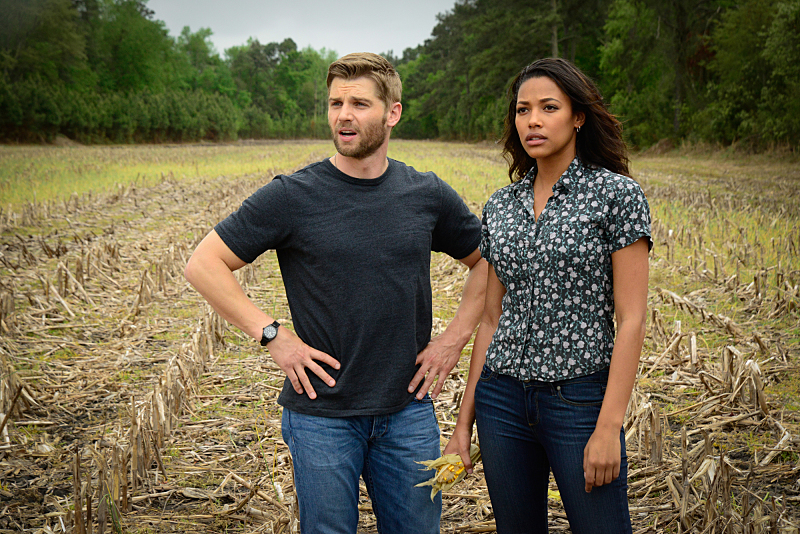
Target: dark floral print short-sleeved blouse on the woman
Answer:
[[557, 318]]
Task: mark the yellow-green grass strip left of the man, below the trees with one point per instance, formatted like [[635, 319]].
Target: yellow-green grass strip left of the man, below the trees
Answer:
[[39, 174]]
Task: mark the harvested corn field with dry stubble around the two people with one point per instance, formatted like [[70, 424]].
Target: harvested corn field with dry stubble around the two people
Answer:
[[127, 405]]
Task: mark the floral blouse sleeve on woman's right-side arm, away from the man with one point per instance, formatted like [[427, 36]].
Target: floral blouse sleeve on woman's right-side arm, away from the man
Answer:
[[629, 216]]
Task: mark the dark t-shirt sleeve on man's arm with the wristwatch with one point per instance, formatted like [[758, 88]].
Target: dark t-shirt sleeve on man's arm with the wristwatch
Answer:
[[261, 223]]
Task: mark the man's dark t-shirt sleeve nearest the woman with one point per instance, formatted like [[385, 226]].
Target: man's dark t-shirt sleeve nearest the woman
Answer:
[[457, 231]]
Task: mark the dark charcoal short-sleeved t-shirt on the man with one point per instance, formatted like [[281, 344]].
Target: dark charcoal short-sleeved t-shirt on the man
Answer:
[[355, 260]]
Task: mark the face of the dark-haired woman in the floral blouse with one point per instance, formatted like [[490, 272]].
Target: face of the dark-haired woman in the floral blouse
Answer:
[[545, 121]]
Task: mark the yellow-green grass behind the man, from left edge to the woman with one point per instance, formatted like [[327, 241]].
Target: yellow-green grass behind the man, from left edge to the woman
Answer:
[[42, 174]]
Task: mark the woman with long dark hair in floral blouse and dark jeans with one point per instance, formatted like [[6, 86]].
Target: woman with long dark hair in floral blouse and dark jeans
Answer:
[[567, 244]]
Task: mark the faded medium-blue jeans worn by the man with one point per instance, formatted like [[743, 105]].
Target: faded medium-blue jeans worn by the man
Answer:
[[331, 453]]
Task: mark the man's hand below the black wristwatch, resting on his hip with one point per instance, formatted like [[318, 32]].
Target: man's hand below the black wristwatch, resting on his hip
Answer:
[[294, 357]]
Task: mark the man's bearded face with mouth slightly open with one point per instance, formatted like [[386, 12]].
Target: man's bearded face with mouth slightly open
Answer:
[[357, 117]]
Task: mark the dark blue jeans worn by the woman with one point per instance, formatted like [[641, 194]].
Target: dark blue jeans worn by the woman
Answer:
[[527, 428]]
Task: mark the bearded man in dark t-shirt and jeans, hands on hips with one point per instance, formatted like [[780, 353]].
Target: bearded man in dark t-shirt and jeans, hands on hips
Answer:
[[354, 235]]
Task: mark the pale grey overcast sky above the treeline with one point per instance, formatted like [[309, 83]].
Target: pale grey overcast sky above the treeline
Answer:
[[349, 26]]
